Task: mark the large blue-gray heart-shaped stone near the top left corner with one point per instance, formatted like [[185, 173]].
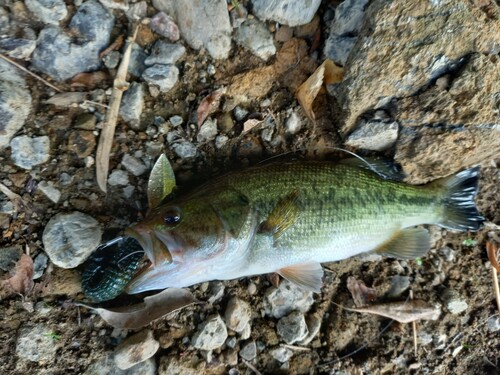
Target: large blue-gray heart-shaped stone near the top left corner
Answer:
[[61, 57]]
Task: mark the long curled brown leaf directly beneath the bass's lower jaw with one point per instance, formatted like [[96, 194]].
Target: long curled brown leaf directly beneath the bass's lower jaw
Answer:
[[153, 307]]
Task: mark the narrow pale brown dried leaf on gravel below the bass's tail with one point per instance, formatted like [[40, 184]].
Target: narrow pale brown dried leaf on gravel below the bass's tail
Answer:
[[403, 312]]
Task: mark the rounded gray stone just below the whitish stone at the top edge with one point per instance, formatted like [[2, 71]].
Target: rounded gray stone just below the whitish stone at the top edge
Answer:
[[255, 36]]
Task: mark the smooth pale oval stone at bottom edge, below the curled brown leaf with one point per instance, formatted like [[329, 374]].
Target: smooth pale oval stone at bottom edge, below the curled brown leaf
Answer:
[[136, 349]]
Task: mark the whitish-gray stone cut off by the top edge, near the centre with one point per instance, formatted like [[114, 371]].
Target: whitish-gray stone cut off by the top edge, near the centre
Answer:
[[291, 13]]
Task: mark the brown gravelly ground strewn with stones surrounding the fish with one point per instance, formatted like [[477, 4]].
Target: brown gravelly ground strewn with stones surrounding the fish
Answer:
[[421, 85]]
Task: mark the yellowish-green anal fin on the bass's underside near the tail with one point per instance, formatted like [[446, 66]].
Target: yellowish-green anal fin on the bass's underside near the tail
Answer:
[[408, 243]]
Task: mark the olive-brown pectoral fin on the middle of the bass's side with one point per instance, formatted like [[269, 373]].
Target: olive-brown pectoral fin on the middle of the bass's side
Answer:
[[282, 216]]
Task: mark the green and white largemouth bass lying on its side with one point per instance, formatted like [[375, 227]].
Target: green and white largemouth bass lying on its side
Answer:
[[291, 217]]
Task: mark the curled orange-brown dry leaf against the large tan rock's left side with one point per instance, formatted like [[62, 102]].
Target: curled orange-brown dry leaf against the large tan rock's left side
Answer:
[[327, 73]]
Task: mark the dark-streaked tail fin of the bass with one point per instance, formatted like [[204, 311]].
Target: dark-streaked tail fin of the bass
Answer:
[[459, 209]]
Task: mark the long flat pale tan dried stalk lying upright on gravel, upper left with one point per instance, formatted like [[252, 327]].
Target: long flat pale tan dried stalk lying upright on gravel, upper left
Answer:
[[120, 85]]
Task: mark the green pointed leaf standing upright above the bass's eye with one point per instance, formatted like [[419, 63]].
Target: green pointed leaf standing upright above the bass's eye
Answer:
[[161, 181]]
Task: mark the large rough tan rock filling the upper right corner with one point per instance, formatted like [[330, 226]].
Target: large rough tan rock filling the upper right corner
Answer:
[[441, 87]]
